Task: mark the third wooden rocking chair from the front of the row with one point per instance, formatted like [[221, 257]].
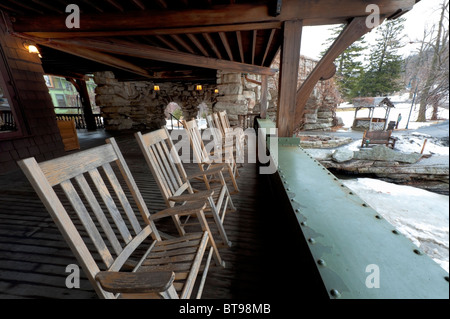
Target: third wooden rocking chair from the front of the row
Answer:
[[205, 160]]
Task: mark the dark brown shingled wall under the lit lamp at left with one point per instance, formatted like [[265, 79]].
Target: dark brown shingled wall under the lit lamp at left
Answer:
[[38, 135]]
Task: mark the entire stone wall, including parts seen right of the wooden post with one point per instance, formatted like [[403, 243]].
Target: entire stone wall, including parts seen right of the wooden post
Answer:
[[135, 105]]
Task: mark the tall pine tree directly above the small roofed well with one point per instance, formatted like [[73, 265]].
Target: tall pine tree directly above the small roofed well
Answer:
[[385, 64]]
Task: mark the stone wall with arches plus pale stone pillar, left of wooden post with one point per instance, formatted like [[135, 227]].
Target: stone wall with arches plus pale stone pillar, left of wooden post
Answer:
[[136, 105]]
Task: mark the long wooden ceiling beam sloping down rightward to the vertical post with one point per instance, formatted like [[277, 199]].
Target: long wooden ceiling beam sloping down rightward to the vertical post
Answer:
[[157, 54]]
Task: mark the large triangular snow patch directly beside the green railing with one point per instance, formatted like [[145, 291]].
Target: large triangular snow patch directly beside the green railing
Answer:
[[420, 215]]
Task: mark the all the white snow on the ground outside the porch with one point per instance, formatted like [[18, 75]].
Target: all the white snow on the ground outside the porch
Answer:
[[420, 215]]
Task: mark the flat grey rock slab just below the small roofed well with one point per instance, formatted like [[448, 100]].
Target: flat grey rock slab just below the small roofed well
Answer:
[[384, 153]]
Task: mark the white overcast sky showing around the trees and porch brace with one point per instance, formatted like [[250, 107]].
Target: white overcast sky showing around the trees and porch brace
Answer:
[[426, 12]]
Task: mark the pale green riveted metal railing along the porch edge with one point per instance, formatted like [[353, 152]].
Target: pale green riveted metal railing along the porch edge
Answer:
[[357, 253]]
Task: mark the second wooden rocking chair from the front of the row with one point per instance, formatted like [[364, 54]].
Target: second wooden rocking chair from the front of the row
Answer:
[[173, 182]]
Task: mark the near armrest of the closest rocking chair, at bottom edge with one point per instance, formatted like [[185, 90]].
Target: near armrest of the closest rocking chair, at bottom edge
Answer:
[[135, 282]]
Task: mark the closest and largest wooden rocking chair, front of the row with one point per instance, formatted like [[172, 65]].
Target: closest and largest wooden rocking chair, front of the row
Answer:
[[119, 249]]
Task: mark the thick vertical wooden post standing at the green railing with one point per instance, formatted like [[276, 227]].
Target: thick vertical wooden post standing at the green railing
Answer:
[[290, 57]]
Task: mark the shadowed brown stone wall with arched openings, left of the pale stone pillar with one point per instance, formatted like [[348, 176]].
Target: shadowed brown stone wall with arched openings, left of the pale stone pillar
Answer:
[[136, 105]]
